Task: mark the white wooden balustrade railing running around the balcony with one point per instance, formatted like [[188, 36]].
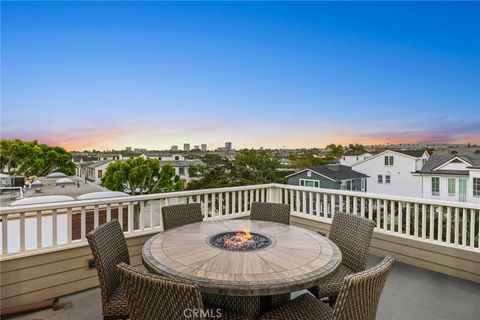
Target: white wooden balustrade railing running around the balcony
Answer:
[[35, 229]]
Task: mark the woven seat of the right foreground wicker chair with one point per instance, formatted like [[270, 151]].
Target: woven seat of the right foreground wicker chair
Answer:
[[305, 307]]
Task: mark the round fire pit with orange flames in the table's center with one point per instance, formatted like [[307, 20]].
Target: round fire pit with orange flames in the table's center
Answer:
[[239, 241]]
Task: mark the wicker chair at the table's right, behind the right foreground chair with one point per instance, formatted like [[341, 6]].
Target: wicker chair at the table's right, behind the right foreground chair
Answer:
[[352, 234]]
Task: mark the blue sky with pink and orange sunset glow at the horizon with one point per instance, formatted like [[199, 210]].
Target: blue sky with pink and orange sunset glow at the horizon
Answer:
[[106, 75]]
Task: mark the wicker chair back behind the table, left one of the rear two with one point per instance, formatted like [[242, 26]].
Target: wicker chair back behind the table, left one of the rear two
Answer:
[[181, 214]]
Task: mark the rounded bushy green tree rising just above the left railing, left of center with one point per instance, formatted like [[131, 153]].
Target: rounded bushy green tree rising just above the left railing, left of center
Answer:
[[141, 176]]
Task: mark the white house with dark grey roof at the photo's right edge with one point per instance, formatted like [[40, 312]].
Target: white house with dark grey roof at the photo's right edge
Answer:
[[452, 177]]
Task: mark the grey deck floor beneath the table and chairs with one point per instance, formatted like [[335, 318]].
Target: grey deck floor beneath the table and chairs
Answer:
[[410, 293]]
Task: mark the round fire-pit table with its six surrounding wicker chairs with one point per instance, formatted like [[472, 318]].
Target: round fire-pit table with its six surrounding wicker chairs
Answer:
[[216, 270]]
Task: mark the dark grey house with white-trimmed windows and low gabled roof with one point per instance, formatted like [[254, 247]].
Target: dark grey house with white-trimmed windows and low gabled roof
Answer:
[[330, 176]]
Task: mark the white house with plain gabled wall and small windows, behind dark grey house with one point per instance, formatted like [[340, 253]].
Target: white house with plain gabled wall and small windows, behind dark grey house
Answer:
[[392, 172]]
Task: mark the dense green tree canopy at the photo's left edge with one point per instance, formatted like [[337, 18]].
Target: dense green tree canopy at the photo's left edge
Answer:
[[18, 157]]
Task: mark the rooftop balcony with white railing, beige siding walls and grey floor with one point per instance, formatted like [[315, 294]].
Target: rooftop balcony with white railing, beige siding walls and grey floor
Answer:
[[45, 254]]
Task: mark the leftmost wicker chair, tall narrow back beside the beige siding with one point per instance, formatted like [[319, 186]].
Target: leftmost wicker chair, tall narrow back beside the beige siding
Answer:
[[109, 248]]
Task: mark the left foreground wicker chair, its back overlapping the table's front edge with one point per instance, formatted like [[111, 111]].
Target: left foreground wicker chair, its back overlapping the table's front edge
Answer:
[[152, 297]]
